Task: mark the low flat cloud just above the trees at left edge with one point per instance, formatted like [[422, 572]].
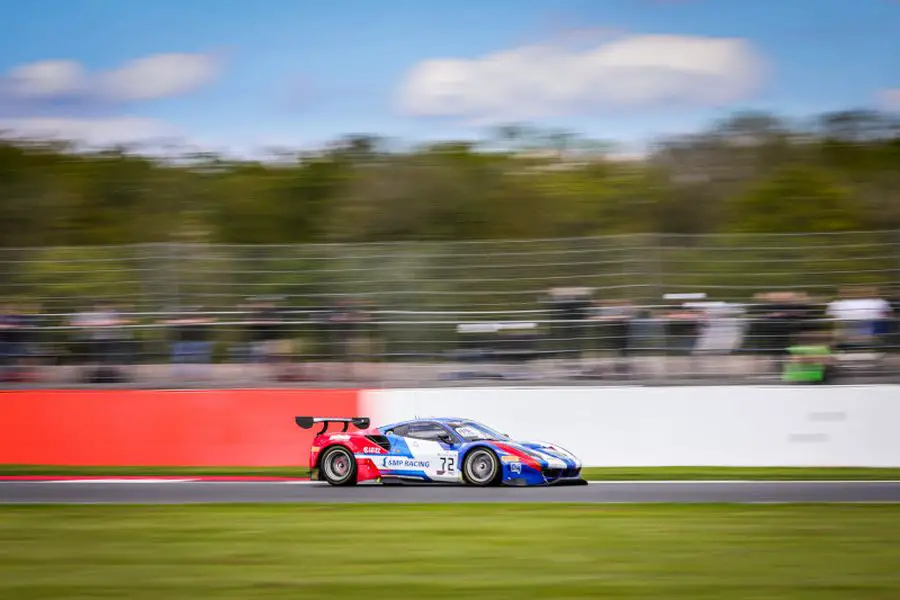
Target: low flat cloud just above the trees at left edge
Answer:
[[91, 132]]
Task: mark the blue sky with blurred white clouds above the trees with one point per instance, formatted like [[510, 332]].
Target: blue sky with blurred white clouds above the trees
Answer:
[[297, 72]]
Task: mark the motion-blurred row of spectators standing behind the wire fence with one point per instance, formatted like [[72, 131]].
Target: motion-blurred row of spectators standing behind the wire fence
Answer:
[[792, 334]]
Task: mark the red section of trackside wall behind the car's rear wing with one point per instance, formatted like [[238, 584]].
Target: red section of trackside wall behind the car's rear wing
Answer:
[[164, 428]]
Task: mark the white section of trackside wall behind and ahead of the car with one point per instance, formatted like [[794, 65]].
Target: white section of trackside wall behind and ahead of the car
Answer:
[[677, 426]]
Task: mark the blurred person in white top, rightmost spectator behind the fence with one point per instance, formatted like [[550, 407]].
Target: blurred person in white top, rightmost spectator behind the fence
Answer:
[[861, 318]]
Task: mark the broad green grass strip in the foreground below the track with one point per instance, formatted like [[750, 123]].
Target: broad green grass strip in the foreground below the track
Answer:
[[440, 551]]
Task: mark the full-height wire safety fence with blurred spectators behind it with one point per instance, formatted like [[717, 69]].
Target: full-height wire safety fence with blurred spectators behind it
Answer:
[[630, 308]]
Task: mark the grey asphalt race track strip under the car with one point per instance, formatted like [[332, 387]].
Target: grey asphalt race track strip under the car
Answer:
[[192, 491]]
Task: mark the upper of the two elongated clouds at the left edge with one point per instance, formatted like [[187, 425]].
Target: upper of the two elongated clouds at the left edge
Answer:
[[148, 78]]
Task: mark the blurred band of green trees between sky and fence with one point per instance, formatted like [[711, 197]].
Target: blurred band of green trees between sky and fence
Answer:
[[752, 172]]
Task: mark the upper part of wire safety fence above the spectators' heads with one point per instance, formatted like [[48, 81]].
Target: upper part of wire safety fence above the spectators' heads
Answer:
[[453, 277]]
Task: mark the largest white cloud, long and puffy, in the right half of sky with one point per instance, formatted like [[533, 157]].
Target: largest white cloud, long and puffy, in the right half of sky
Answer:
[[540, 81]]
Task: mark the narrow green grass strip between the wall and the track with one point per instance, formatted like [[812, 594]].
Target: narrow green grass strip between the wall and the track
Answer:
[[592, 473]]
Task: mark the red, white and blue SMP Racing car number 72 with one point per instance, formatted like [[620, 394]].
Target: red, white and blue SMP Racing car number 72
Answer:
[[438, 450]]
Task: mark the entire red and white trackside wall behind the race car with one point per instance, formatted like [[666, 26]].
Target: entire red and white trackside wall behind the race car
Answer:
[[605, 426]]
